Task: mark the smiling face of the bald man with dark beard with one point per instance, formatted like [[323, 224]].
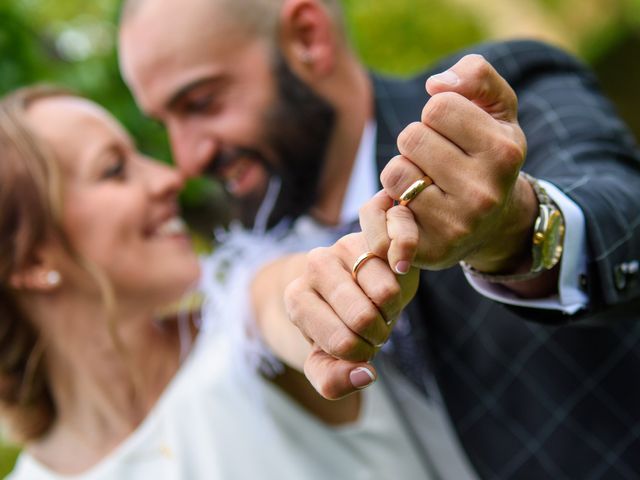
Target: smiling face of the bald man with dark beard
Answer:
[[231, 105]]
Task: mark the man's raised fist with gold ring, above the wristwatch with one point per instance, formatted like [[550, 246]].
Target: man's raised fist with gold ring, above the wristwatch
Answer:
[[477, 209]]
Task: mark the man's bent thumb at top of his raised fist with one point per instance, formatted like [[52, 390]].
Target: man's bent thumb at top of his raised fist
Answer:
[[475, 79]]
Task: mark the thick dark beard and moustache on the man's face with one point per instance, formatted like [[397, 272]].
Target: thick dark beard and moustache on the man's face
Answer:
[[297, 130]]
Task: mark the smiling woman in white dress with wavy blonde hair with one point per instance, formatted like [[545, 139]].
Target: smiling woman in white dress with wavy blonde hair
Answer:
[[91, 249]]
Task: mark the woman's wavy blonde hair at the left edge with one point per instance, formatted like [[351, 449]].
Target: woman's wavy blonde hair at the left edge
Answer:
[[31, 206]]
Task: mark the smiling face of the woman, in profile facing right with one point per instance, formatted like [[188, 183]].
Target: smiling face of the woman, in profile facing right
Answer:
[[120, 208]]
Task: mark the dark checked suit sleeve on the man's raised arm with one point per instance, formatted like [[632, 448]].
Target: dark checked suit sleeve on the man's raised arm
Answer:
[[577, 142]]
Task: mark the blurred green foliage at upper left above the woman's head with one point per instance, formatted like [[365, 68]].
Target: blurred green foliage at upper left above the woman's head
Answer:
[[72, 43]]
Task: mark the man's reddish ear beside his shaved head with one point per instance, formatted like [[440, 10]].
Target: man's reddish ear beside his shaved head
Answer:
[[308, 38]]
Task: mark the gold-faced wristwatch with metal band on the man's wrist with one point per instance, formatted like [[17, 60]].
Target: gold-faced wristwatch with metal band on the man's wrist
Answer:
[[547, 242]]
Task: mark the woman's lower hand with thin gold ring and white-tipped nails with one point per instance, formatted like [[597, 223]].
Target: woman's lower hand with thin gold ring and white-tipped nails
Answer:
[[347, 321]]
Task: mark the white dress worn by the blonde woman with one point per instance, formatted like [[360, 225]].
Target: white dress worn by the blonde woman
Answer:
[[219, 420]]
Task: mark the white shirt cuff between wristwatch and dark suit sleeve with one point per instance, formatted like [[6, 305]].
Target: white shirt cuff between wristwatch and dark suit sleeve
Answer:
[[573, 264]]
